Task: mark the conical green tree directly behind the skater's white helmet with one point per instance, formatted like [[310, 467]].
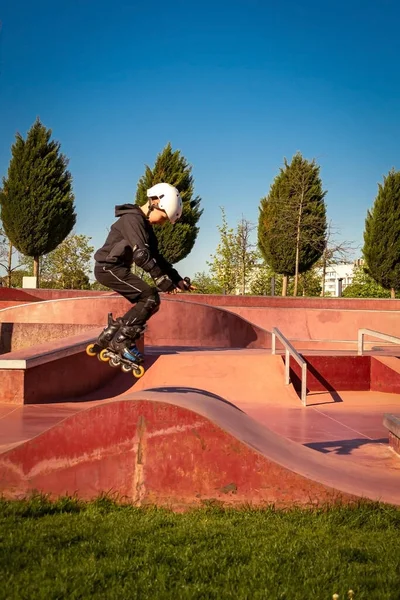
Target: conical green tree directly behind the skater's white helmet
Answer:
[[175, 241]]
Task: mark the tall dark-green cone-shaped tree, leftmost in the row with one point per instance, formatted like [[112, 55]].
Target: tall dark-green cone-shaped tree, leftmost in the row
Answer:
[[37, 202]]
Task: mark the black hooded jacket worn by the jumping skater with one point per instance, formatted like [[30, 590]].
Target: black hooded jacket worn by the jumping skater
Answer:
[[131, 229]]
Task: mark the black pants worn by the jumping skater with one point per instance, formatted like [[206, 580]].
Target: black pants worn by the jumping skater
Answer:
[[121, 279]]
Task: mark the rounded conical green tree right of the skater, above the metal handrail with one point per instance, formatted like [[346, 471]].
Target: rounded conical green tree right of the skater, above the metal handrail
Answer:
[[292, 220]]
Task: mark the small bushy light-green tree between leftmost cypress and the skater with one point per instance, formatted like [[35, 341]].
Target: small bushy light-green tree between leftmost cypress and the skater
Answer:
[[68, 266]]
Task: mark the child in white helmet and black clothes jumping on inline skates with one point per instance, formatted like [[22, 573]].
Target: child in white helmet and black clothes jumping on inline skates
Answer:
[[132, 240]]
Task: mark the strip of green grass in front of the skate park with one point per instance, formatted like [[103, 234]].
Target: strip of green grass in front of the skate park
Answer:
[[70, 549]]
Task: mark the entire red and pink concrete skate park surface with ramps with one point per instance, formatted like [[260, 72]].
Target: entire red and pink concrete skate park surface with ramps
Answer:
[[212, 418]]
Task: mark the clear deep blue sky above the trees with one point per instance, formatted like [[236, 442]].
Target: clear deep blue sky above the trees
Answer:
[[236, 86]]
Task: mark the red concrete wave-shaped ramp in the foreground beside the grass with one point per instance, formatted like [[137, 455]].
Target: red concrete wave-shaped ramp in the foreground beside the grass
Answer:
[[178, 448]]
